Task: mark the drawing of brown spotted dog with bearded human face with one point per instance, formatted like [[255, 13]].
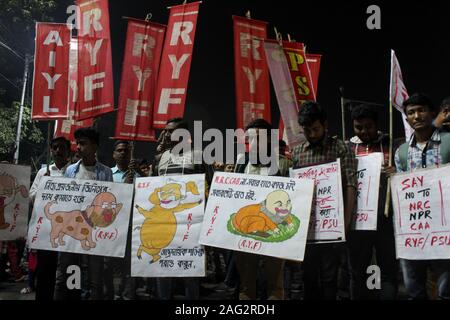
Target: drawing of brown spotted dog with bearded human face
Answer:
[[102, 212]]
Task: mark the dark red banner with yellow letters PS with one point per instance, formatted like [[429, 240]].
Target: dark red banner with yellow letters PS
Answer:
[[300, 73]]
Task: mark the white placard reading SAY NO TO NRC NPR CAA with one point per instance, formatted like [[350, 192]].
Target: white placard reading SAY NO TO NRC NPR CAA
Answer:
[[420, 200]]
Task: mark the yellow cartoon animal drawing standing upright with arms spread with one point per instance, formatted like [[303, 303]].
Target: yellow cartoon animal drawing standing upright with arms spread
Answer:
[[160, 224]]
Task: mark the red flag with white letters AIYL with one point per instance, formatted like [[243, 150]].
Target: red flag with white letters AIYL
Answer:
[[51, 70]]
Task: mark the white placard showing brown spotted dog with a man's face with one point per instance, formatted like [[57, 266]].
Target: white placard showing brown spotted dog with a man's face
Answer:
[[81, 216]]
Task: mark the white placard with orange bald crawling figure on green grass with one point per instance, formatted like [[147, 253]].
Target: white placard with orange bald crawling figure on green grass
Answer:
[[258, 214]]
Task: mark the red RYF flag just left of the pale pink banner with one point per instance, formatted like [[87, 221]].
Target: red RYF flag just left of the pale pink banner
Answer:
[[251, 71]]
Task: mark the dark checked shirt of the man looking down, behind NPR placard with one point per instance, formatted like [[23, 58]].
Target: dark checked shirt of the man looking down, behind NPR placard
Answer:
[[329, 150]]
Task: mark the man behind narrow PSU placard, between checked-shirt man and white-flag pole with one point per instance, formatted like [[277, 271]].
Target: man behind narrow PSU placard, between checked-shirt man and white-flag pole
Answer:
[[368, 139]]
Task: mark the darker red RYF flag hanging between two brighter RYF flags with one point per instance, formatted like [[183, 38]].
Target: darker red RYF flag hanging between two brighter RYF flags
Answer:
[[139, 75]]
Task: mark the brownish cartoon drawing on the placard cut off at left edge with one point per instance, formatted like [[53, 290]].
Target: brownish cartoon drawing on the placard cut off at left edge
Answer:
[[9, 188]]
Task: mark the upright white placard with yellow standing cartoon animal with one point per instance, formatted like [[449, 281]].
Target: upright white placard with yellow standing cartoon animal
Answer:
[[167, 219]]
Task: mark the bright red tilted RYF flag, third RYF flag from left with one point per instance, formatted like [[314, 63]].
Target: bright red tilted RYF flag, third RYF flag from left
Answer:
[[176, 60]]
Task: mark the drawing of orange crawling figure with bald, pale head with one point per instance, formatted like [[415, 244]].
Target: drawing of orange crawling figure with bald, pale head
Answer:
[[264, 218]]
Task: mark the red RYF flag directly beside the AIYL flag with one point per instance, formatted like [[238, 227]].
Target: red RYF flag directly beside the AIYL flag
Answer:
[[95, 78]]
